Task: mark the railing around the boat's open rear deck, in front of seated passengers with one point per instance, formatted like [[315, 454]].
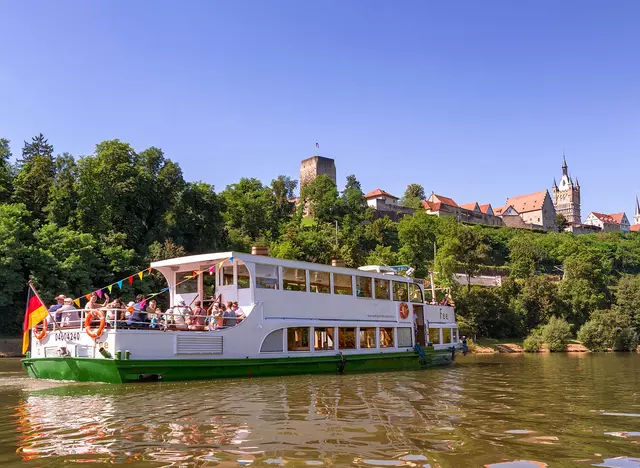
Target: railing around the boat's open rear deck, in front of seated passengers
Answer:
[[128, 318]]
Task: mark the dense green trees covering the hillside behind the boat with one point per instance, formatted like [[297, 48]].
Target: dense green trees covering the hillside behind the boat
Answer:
[[75, 224]]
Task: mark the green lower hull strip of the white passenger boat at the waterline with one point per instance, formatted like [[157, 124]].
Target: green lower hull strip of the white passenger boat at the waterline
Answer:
[[83, 369]]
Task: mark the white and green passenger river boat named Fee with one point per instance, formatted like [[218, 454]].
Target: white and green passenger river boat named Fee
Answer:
[[298, 318]]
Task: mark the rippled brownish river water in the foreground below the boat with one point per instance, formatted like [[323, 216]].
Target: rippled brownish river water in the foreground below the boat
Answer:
[[501, 411]]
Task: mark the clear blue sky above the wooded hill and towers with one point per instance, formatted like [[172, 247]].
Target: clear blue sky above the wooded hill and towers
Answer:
[[475, 100]]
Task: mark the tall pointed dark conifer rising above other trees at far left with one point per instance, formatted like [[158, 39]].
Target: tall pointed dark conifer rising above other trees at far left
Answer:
[[35, 176]]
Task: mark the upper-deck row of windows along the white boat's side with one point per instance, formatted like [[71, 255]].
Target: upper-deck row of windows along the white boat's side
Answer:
[[322, 282]]
